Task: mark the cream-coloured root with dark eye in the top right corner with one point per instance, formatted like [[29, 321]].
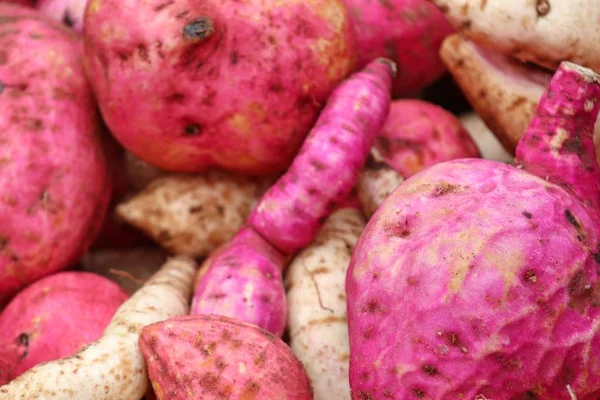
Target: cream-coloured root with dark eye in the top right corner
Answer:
[[544, 32]]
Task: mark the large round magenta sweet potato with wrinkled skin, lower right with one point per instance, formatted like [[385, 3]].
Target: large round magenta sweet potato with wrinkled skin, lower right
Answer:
[[485, 278]]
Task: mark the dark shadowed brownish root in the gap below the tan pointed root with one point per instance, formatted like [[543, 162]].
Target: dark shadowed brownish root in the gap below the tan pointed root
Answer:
[[130, 268]]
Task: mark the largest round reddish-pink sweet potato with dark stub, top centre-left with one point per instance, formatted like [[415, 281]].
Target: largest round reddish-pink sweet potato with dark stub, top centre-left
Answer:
[[240, 94]]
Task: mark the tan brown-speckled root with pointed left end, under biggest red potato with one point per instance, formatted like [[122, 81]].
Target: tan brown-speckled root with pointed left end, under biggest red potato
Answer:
[[192, 215]]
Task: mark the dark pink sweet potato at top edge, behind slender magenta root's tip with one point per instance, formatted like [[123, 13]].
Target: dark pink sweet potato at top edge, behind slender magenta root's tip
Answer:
[[409, 32]]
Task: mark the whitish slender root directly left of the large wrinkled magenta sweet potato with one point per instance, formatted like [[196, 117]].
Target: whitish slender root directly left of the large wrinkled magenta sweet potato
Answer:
[[317, 304]]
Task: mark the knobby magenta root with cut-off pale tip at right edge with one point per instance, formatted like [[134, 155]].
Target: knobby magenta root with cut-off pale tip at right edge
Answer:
[[558, 144]]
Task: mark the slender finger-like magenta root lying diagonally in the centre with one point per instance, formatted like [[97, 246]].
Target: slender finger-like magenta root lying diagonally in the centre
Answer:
[[326, 169]]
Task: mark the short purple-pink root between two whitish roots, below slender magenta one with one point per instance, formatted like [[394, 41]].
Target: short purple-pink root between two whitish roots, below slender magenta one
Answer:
[[243, 281]]
